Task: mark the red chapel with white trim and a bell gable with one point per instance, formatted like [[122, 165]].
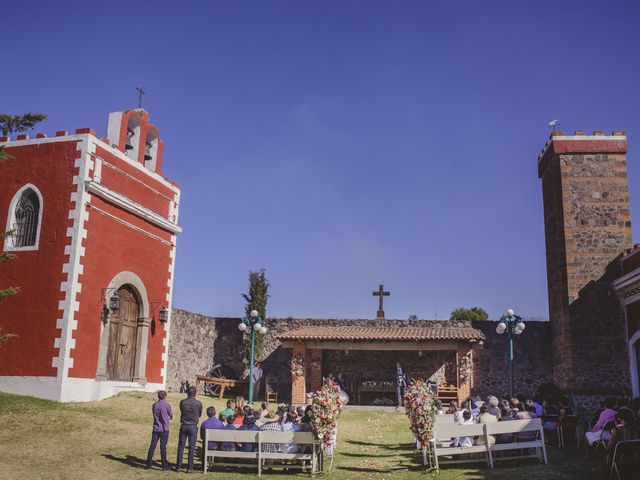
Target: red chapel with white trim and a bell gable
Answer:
[[93, 225]]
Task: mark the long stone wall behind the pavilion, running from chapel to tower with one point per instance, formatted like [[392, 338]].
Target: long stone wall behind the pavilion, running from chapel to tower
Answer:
[[199, 342]]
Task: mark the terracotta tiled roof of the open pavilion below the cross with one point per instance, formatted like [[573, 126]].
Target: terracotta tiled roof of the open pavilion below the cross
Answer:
[[383, 333]]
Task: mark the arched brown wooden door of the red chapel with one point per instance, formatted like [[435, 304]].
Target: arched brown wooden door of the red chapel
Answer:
[[123, 331]]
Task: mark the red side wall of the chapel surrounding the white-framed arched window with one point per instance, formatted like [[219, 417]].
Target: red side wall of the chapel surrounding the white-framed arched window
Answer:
[[32, 314]]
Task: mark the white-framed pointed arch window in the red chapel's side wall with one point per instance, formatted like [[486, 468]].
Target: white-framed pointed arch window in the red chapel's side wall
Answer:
[[24, 220]]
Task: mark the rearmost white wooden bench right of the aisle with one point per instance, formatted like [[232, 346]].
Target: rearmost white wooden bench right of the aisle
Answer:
[[445, 432]]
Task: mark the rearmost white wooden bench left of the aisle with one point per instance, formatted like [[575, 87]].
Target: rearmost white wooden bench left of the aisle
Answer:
[[309, 460]]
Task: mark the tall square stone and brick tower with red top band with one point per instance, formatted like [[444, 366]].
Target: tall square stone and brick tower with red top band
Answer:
[[587, 227]]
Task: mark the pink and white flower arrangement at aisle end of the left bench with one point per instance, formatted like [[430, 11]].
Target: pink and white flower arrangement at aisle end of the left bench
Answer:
[[325, 411]]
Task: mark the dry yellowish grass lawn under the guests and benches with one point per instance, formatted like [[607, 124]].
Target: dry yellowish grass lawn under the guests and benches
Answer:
[[109, 440]]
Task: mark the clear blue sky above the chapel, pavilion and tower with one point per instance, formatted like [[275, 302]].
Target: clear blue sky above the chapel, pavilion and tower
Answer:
[[343, 144]]
